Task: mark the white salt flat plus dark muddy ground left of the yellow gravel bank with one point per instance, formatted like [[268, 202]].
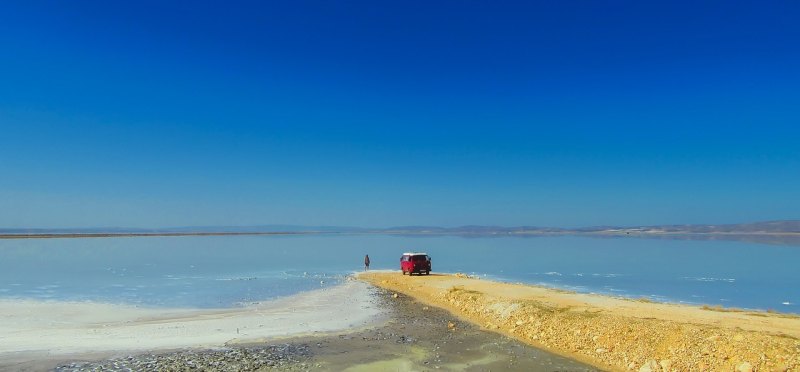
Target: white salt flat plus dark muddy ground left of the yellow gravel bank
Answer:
[[351, 327]]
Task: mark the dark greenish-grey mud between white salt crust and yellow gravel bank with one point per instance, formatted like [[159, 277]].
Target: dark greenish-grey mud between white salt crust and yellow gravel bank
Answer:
[[419, 337]]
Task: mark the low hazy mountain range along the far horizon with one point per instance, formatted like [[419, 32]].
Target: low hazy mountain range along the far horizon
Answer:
[[785, 232]]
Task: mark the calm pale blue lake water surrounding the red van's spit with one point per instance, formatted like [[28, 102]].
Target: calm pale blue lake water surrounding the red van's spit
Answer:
[[224, 271]]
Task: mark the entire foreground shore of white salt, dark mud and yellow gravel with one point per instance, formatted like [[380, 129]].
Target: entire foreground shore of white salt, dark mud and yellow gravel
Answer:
[[363, 324]]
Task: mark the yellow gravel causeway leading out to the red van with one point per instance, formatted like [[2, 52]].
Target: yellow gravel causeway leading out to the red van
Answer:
[[612, 333]]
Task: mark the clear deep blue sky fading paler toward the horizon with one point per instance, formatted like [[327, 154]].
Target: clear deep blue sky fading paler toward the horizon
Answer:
[[374, 113]]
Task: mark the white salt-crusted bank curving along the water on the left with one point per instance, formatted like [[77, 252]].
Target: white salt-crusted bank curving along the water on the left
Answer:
[[29, 329]]
